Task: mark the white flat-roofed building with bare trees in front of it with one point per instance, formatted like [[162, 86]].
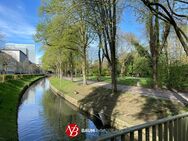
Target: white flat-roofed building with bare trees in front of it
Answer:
[[14, 61]]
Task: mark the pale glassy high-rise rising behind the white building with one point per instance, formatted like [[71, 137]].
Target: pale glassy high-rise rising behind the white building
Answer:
[[28, 49]]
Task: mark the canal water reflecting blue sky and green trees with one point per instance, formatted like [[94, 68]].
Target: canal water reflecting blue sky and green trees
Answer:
[[43, 116]]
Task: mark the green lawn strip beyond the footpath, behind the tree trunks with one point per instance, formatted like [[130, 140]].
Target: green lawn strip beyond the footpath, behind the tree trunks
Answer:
[[130, 81]]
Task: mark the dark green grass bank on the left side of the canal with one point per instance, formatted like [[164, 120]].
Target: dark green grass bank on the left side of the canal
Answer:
[[9, 100]]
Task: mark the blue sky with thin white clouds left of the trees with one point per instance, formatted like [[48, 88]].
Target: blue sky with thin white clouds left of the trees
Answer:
[[18, 20]]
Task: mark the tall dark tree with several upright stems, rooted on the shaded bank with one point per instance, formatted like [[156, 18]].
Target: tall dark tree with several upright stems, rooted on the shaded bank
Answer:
[[106, 12]]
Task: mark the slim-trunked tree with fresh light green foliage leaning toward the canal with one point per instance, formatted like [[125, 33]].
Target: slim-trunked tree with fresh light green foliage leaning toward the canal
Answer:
[[68, 29]]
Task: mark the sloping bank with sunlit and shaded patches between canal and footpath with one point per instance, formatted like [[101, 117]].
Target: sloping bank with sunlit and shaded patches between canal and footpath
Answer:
[[132, 108]]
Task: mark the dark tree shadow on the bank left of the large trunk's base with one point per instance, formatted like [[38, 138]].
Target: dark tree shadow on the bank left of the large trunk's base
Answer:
[[101, 102]]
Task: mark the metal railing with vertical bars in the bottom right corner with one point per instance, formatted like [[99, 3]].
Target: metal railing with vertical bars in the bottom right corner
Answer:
[[168, 129]]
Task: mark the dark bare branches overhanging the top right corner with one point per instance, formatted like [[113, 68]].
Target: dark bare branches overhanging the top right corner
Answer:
[[169, 15]]
